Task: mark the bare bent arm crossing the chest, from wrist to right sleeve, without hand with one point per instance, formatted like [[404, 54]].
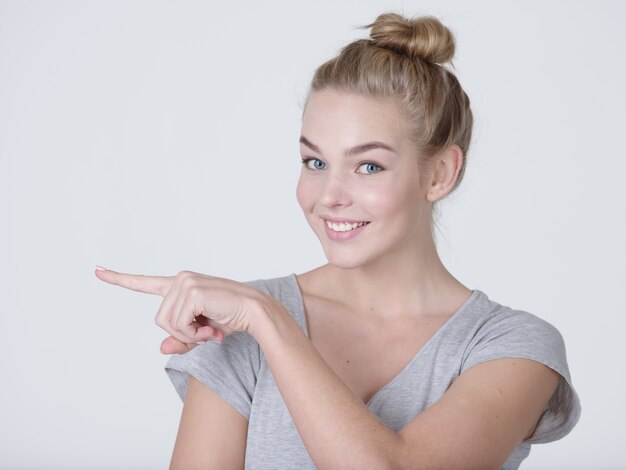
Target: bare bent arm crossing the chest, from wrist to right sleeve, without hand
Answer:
[[477, 423]]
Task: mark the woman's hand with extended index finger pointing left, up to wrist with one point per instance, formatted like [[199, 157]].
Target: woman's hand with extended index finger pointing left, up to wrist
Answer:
[[196, 308]]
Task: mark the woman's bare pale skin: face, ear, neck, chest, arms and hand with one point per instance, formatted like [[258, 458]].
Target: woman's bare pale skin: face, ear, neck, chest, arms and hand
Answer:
[[387, 286]]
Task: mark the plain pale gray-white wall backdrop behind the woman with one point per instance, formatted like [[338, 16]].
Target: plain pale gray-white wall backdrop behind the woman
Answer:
[[156, 136]]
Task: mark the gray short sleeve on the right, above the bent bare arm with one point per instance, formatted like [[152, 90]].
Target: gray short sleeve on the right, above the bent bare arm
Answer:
[[519, 334]]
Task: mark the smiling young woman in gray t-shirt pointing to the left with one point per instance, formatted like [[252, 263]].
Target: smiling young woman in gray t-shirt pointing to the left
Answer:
[[380, 358]]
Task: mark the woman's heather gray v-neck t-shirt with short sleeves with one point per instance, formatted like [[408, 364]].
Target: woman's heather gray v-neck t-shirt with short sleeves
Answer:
[[479, 331]]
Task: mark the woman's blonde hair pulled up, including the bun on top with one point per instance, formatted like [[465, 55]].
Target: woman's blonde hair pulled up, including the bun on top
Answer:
[[404, 60]]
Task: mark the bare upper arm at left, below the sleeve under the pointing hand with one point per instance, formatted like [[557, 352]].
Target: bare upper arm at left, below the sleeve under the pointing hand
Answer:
[[212, 434]]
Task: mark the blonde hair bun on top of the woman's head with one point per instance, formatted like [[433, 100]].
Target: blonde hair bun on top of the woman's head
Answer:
[[423, 37]]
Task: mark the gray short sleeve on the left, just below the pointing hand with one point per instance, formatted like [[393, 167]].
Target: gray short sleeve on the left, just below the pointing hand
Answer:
[[229, 369]]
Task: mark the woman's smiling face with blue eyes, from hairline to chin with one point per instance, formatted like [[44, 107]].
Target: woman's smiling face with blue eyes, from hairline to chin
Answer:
[[349, 176]]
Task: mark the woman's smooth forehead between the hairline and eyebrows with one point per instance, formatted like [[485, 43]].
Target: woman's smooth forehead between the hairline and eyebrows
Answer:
[[351, 118]]
